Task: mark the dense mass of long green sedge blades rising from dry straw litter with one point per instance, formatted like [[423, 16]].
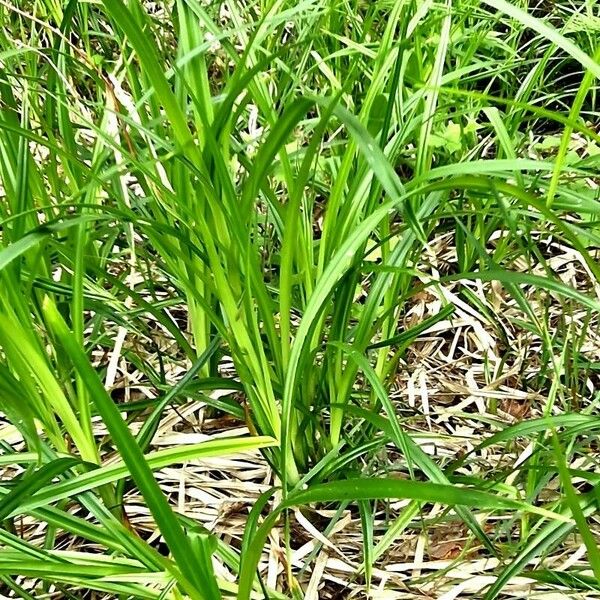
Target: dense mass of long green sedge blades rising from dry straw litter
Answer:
[[281, 171]]
